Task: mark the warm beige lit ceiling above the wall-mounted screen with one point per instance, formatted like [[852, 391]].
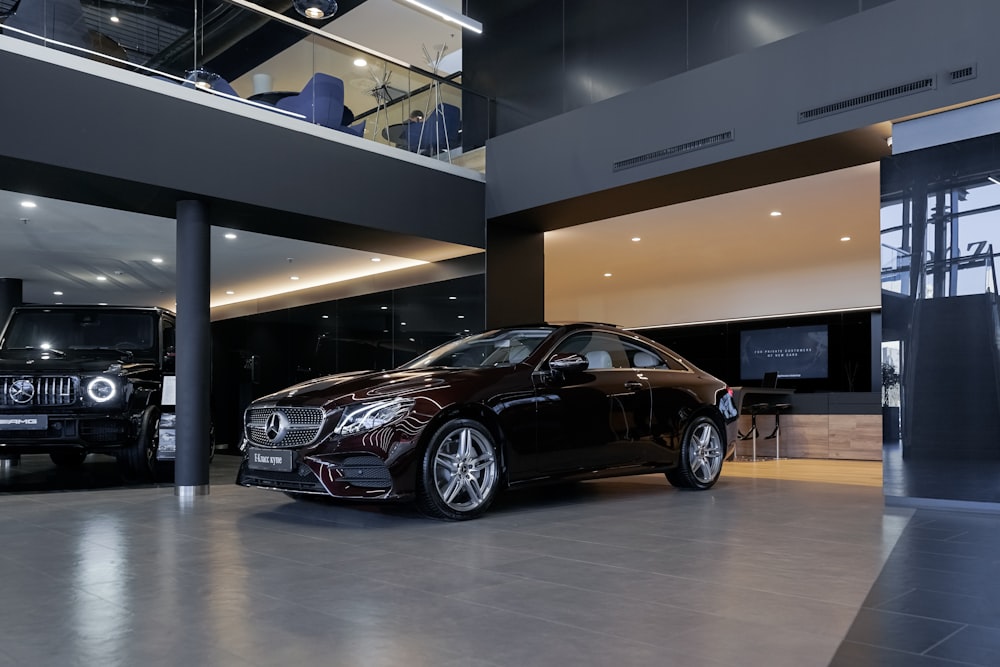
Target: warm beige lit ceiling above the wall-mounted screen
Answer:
[[732, 234]]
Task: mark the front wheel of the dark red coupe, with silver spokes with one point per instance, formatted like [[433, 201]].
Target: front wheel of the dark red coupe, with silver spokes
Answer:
[[460, 474]]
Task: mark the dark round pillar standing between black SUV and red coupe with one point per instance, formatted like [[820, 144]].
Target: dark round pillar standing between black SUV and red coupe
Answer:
[[194, 347]]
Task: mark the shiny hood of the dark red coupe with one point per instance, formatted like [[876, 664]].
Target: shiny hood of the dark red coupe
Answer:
[[372, 385]]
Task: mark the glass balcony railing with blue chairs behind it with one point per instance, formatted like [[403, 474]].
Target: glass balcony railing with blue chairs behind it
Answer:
[[269, 57]]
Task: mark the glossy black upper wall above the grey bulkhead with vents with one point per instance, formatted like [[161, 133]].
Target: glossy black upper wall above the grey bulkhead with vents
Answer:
[[541, 58]]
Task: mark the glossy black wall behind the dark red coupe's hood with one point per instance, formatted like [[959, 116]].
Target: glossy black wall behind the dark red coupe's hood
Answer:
[[259, 354]]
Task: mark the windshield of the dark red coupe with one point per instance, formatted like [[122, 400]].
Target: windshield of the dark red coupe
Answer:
[[503, 347]]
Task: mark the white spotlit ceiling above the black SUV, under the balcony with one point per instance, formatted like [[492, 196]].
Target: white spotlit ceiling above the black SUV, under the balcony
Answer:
[[68, 247]]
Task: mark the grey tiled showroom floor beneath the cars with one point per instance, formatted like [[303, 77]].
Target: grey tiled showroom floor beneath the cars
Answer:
[[615, 572]]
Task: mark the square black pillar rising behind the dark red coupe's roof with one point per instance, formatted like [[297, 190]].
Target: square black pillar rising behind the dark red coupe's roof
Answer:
[[515, 276]]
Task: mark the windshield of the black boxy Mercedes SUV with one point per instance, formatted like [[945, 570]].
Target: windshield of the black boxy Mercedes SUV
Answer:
[[81, 330]]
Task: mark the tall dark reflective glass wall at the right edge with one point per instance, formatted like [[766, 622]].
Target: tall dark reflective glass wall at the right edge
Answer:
[[941, 322]]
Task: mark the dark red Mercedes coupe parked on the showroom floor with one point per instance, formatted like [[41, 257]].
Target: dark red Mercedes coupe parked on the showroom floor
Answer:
[[503, 408]]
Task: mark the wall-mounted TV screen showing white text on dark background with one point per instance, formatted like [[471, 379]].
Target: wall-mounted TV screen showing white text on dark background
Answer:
[[791, 352]]
